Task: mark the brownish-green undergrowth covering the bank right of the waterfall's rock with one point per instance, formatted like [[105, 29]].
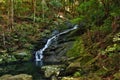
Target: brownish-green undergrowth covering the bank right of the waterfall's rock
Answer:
[[100, 53]]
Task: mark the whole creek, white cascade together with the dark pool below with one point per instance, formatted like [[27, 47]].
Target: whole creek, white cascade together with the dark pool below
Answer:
[[34, 67]]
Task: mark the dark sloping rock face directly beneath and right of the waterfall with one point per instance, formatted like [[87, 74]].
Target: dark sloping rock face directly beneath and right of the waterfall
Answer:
[[57, 51]]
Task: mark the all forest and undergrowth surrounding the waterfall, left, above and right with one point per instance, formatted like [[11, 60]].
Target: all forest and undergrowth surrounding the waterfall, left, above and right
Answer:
[[24, 22]]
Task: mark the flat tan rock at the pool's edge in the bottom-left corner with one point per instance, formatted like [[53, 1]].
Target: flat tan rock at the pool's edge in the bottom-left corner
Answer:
[[16, 77]]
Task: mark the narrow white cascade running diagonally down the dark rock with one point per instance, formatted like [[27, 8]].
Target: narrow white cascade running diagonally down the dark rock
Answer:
[[39, 53]]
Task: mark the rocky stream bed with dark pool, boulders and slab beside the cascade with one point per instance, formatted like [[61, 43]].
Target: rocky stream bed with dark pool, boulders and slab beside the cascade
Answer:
[[55, 65]]
